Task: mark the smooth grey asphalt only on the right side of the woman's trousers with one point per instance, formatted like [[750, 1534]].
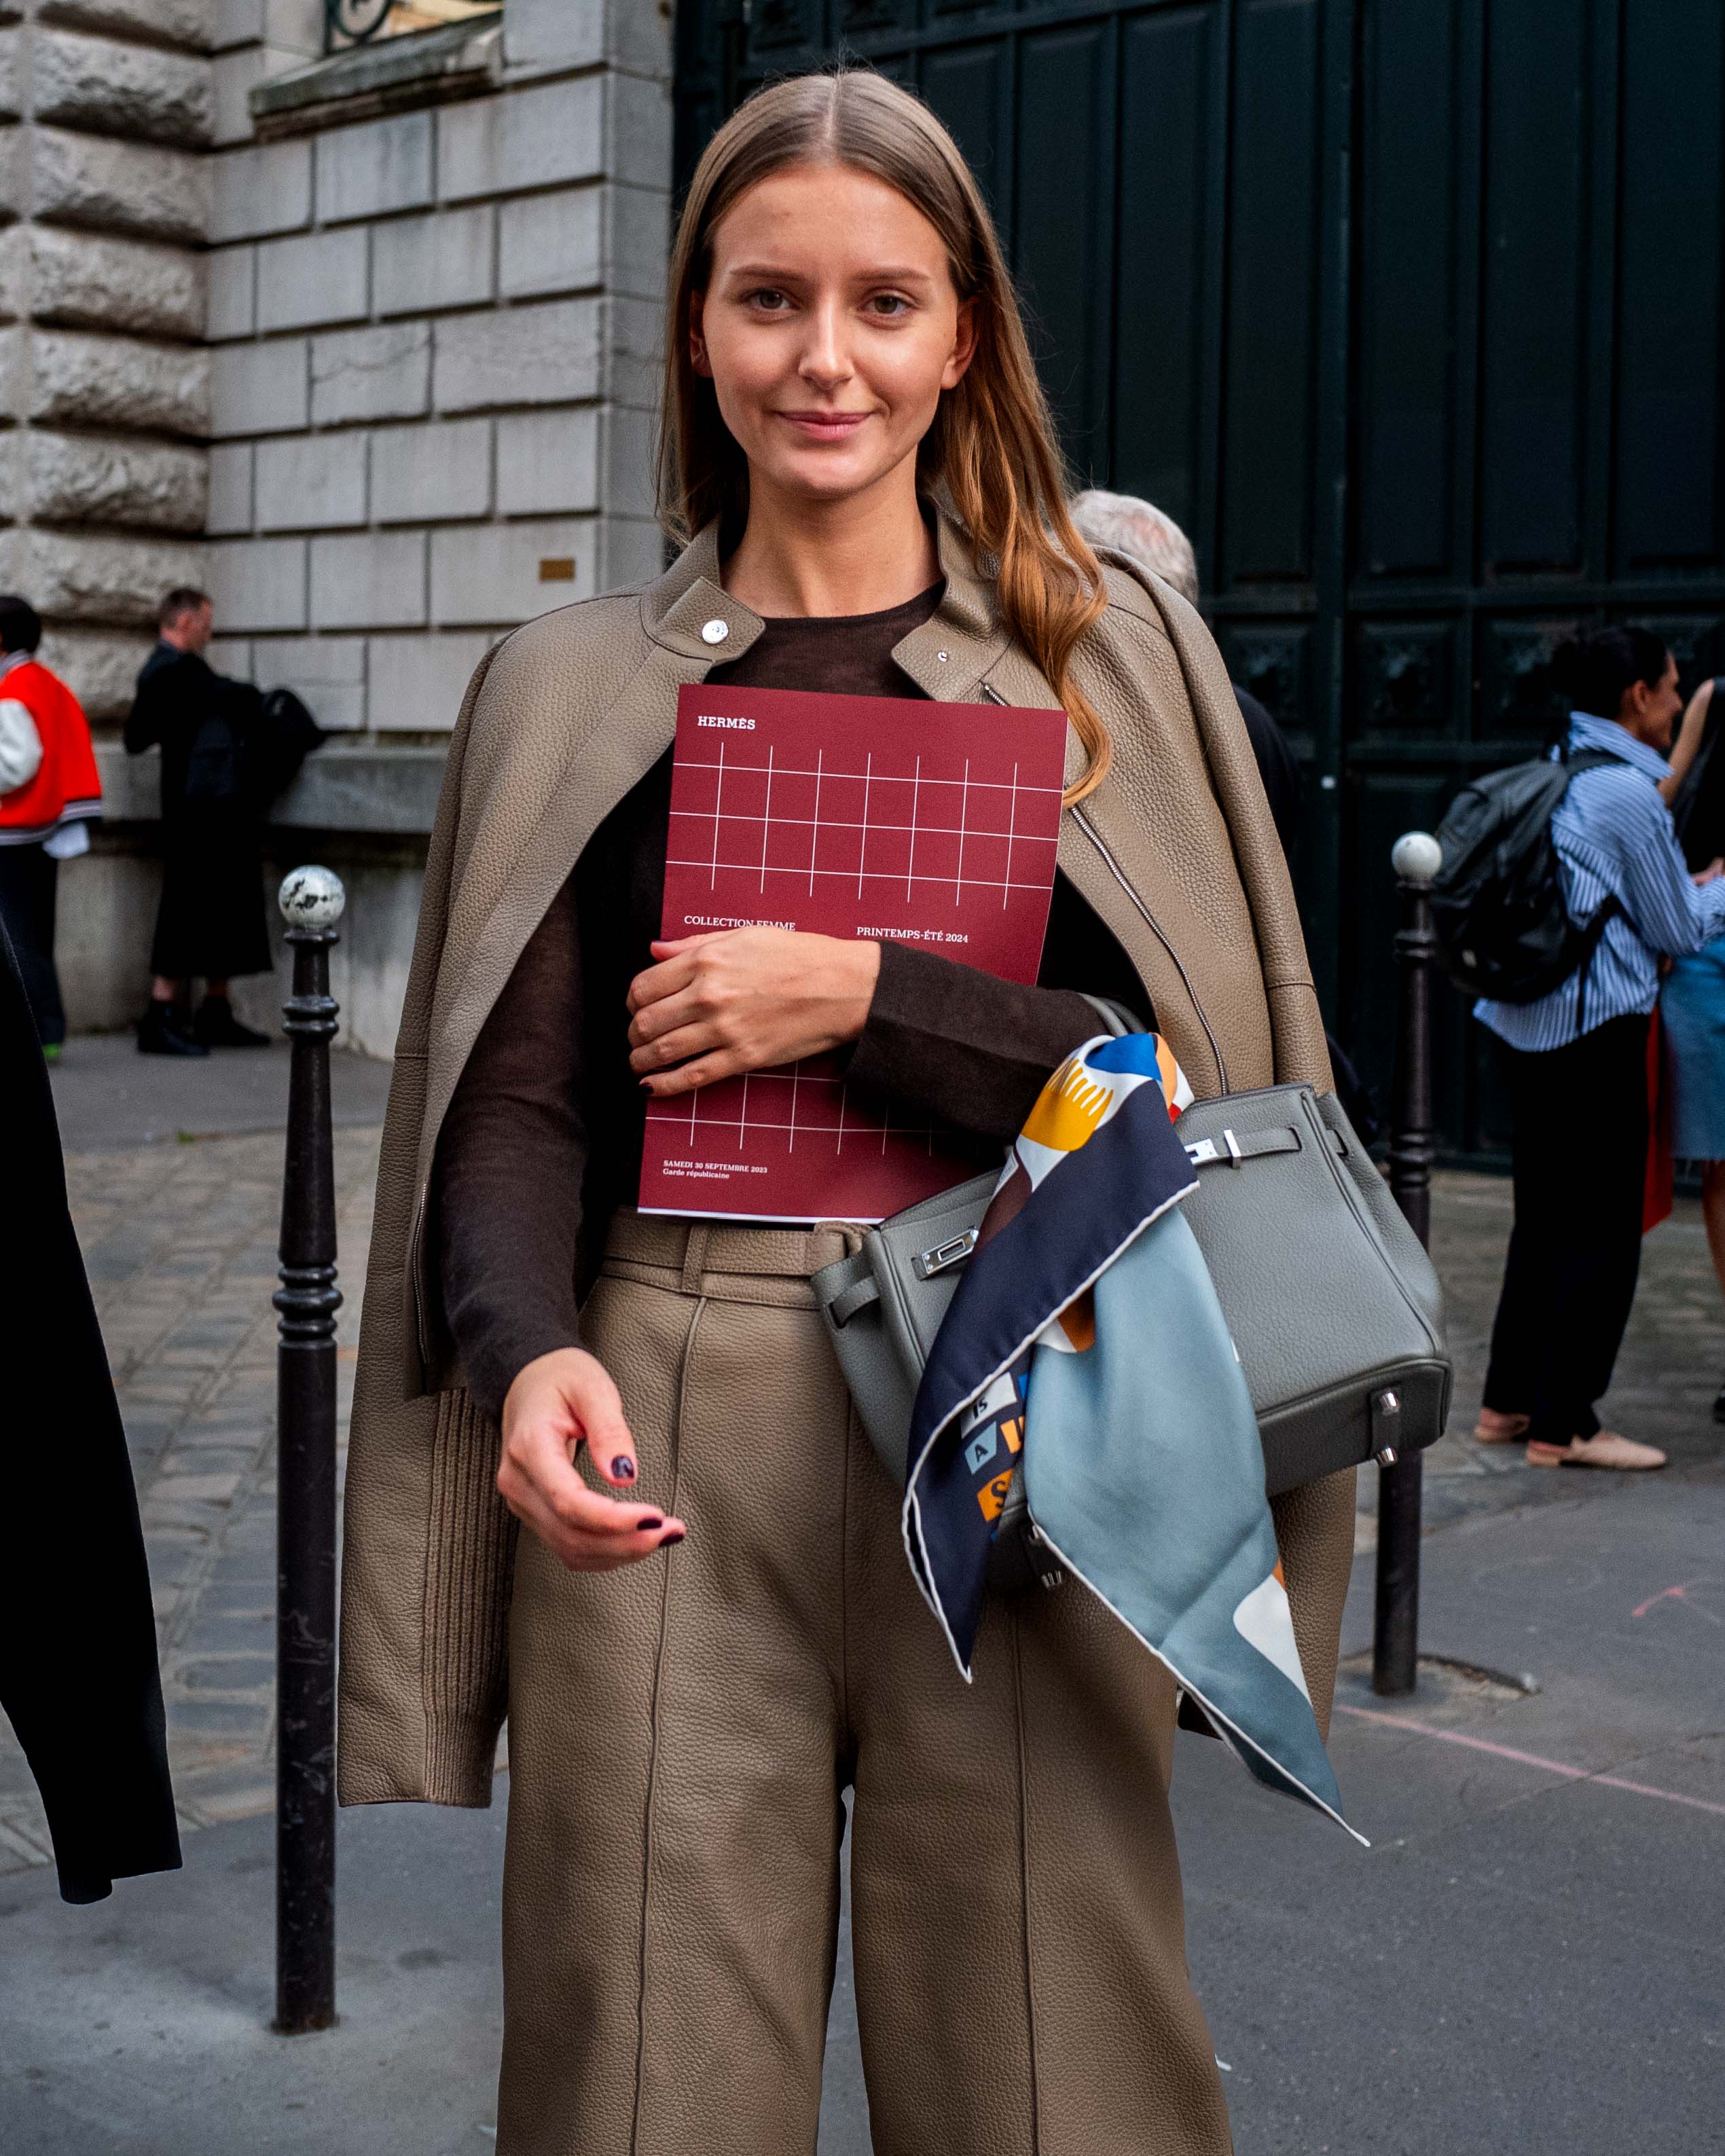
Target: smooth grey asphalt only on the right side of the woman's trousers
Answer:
[[1532, 1954]]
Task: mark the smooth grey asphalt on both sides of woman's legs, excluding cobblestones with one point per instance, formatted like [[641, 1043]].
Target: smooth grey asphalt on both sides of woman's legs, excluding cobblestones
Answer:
[[1530, 1957]]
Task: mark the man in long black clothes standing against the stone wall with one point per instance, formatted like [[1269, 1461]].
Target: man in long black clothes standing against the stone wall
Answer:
[[225, 756]]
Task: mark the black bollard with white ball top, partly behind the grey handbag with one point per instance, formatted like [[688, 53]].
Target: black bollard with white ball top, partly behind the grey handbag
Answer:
[[1411, 1155]]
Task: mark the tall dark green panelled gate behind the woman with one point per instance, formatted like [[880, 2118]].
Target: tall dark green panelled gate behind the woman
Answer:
[[1407, 309]]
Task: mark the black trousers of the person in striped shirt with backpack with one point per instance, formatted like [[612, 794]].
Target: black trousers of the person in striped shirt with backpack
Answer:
[[1569, 1284]]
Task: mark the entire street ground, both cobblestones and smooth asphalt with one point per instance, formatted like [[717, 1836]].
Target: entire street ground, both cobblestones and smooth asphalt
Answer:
[[1530, 1957]]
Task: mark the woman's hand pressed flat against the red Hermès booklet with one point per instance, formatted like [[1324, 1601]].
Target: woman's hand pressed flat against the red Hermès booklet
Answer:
[[745, 1001]]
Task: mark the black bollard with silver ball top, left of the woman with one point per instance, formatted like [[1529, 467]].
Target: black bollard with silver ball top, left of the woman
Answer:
[[307, 1301]]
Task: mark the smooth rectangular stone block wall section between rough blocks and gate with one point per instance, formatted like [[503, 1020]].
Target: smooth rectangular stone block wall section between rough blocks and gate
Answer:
[[432, 383]]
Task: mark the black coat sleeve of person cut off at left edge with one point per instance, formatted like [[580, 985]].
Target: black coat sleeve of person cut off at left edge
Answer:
[[79, 1674]]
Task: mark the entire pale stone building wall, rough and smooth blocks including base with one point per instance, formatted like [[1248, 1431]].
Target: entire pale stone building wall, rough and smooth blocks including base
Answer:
[[363, 344]]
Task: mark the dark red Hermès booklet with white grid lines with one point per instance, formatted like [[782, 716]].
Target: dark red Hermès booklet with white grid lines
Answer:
[[887, 818]]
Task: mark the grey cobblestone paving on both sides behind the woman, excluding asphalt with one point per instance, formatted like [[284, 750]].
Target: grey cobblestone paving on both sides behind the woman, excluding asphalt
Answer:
[[180, 1247]]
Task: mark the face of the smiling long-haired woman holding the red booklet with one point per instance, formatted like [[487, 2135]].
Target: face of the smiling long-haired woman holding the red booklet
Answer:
[[829, 329]]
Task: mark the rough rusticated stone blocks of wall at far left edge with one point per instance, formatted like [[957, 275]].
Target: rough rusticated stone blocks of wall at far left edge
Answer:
[[105, 381]]
